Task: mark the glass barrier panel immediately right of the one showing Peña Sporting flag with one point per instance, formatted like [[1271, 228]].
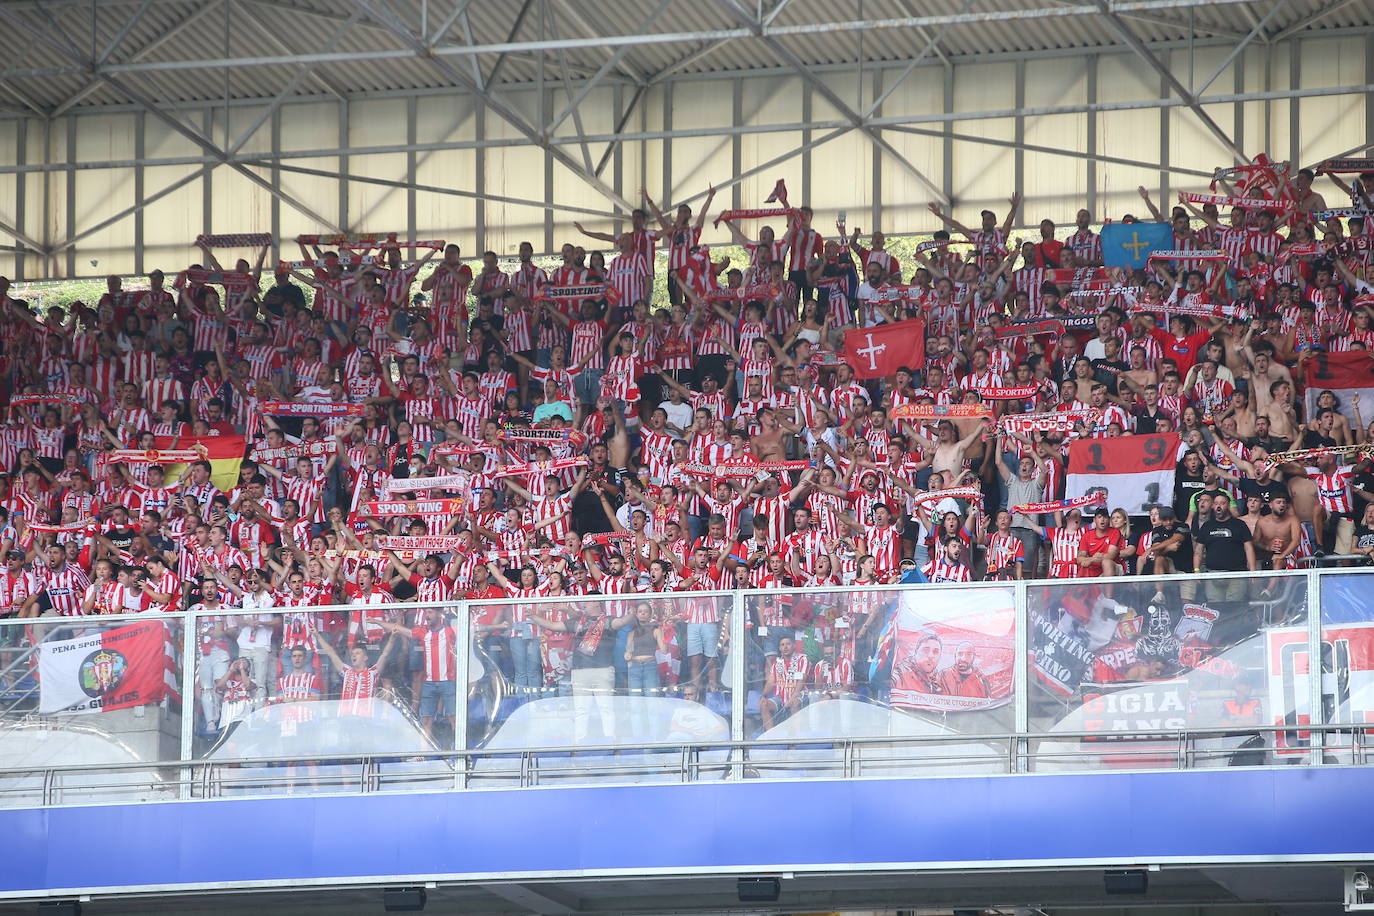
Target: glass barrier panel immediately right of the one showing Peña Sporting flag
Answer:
[[322, 686]]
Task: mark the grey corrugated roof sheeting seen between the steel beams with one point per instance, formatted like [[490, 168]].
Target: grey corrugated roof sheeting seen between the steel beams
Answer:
[[281, 28]]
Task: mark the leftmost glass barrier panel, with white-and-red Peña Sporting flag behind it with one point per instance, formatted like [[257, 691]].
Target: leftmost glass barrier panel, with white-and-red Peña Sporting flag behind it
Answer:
[[89, 693]]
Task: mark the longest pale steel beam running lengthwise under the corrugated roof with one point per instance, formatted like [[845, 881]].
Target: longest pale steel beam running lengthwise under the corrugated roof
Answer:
[[619, 41]]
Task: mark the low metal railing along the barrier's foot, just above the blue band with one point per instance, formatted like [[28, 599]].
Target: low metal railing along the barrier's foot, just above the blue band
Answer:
[[689, 763]]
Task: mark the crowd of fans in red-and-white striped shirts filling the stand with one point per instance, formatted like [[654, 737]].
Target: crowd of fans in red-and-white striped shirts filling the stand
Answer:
[[589, 439]]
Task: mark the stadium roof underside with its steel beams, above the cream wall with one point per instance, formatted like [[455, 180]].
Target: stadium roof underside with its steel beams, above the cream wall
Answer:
[[80, 53]]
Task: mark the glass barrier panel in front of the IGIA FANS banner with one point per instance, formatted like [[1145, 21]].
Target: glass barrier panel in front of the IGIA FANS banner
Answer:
[[1164, 659]]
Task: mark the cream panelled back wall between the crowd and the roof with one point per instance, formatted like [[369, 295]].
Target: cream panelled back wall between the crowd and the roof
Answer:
[[842, 171]]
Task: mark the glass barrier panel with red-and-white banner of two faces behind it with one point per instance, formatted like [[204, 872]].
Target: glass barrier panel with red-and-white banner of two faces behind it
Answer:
[[924, 663]]
